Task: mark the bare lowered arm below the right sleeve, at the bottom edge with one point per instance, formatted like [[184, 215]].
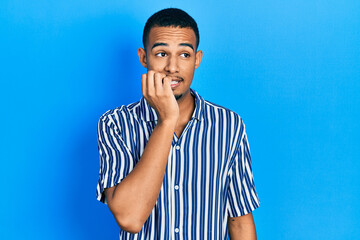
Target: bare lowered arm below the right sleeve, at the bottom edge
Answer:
[[242, 227]]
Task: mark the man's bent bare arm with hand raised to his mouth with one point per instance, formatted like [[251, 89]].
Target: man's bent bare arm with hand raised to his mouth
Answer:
[[132, 200]]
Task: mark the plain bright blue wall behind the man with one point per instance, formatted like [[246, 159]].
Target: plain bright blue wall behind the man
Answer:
[[291, 69]]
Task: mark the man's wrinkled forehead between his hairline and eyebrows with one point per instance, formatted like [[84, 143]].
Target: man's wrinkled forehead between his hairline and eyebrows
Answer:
[[170, 35]]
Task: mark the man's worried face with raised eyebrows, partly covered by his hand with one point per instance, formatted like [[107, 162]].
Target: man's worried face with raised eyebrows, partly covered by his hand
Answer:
[[172, 51]]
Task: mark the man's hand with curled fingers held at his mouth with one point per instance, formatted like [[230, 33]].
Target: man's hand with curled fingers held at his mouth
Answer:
[[157, 91]]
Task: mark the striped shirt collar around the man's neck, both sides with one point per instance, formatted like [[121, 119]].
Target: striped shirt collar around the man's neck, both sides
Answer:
[[149, 114]]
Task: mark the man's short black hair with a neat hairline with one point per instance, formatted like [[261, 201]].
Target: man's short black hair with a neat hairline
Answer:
[[170, 17]]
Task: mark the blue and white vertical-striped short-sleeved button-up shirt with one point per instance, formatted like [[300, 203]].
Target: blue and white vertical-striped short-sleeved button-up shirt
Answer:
[[208, 177]]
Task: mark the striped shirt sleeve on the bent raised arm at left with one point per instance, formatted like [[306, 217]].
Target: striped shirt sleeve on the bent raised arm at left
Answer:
[[116, 160]]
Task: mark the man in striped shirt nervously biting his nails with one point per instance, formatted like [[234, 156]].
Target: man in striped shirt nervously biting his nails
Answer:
[[174, 166]]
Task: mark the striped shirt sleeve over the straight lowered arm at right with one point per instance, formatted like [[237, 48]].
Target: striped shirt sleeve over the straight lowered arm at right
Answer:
[[242, 197]]
